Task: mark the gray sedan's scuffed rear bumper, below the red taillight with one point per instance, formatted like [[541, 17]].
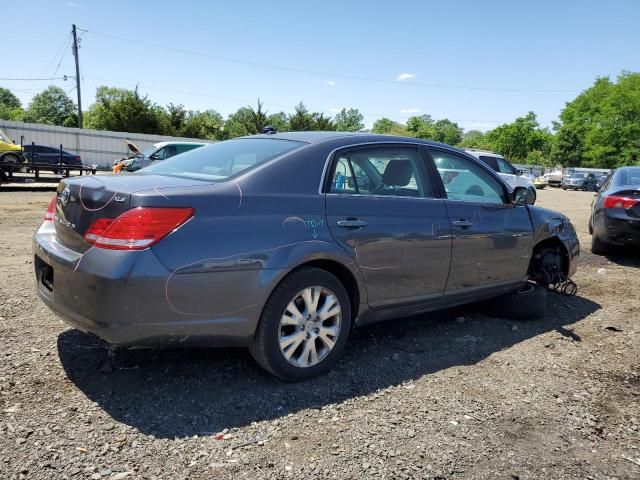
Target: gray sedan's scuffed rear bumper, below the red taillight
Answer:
[[130, 298]]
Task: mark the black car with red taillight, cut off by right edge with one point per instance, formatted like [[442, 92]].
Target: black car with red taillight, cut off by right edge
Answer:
[[615, 211]]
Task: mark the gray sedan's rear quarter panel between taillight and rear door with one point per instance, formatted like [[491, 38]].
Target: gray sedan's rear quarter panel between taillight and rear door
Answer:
[[244, 237]]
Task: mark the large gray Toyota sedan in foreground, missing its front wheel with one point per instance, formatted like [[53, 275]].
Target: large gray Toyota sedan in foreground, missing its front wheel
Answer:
[[284, 242]]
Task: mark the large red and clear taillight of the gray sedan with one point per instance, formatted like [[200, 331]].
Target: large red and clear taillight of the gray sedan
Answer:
[[137, 228]]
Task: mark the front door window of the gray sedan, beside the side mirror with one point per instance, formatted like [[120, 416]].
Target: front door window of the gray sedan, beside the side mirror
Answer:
[[465, 181]]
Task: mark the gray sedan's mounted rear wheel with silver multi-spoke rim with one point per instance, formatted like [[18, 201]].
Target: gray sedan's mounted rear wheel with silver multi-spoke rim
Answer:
[[303, 332]]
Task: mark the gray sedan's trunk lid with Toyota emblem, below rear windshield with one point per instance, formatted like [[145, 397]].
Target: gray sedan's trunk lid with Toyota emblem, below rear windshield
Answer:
[[81, 201]]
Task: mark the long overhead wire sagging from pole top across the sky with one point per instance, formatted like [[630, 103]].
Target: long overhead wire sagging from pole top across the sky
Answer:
[[319, 73]]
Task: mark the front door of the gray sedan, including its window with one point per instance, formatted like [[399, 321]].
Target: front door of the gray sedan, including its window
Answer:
[[492, 238]]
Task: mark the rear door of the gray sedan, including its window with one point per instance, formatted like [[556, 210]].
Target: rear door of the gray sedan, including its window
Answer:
[[383, 208]]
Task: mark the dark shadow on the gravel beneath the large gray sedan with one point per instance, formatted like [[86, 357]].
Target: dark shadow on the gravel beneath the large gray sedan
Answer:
[[173, 393]]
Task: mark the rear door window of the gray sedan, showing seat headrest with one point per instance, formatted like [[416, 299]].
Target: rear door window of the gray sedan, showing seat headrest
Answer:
[[380, 171]]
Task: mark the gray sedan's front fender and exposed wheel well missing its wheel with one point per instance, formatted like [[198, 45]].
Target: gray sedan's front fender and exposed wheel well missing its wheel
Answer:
[[556, 251]]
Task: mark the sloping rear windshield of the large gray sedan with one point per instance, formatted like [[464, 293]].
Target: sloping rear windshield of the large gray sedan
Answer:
[[223, 159]]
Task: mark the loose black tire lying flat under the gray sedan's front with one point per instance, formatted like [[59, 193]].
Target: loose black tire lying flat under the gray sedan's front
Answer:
[[527, 303]]
